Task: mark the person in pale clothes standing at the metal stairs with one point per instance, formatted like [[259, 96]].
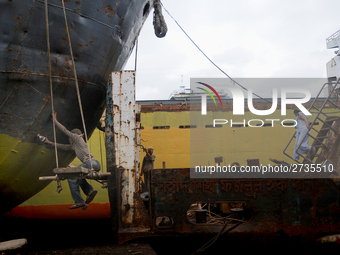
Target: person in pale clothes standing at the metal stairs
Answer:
[[302, 128]]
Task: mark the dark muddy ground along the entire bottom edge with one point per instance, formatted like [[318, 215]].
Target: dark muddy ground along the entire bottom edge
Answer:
[[96, 237]]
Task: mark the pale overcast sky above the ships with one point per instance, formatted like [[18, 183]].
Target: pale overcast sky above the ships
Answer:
[[245, 38]]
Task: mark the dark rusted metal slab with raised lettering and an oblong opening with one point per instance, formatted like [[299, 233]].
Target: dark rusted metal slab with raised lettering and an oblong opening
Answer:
[[308, 208]]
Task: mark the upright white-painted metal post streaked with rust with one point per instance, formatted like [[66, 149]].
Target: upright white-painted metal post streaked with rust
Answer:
[[124, 152]]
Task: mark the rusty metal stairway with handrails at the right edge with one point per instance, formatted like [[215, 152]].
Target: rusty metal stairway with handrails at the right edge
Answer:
[[327, 137]]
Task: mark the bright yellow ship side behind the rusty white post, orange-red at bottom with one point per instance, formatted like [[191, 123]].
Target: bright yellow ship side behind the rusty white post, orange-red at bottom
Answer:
[[168, 133]]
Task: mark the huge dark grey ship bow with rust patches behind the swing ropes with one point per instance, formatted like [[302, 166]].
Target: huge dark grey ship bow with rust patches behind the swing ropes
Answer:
[[102, 33]]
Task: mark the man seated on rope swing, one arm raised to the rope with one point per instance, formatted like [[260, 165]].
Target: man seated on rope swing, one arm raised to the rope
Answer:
[[78, 144]]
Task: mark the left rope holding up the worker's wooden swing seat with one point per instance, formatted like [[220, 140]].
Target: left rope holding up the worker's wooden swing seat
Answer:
[[51, 89]]
